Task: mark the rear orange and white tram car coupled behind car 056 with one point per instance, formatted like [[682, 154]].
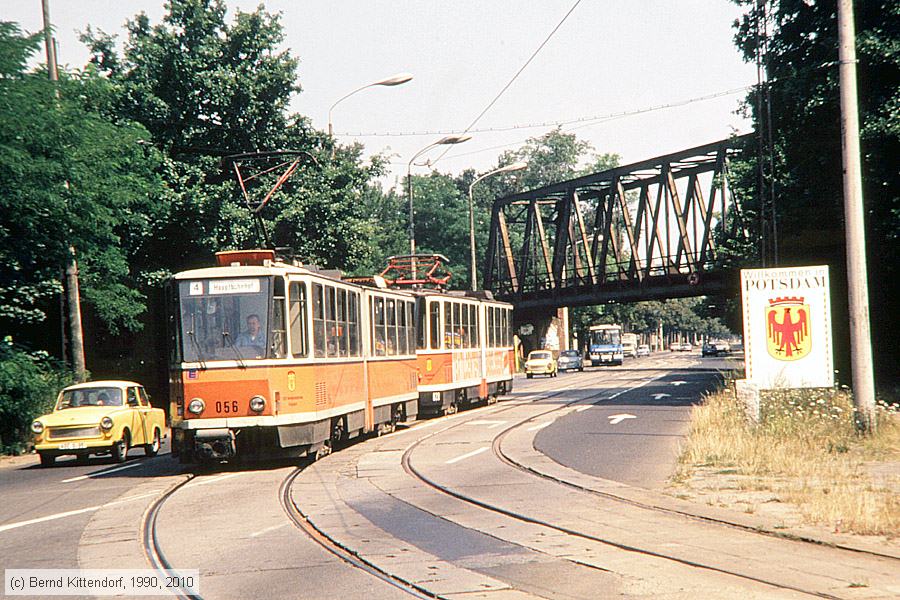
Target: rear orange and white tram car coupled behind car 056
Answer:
[[465, 349]]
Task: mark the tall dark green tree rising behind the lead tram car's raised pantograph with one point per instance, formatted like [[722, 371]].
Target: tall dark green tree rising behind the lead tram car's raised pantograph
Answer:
[[206, 88]]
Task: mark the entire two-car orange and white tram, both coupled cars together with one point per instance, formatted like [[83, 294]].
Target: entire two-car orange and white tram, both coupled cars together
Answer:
[[272, 359]]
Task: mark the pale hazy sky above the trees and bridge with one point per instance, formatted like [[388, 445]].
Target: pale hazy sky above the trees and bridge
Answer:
[[616, 60]]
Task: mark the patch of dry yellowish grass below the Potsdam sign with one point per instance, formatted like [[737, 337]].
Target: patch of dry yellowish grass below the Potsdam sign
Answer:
[[806, 451]]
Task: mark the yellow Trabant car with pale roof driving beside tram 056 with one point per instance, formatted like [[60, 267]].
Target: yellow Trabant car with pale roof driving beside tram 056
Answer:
[[100, 417]]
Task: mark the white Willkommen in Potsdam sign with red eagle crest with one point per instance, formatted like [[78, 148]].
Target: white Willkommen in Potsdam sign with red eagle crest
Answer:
[[787, 327]]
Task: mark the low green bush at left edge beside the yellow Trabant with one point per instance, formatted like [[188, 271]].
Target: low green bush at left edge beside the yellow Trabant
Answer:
[[29, 382]]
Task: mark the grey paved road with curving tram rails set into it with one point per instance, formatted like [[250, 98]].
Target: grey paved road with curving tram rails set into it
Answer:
[[548, 494]]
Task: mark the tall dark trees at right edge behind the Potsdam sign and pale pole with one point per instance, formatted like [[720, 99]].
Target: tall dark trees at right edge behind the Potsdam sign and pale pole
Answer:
[[801, 63]]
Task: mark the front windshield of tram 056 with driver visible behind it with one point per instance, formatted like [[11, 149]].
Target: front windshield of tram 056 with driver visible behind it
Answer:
[[224, 319]]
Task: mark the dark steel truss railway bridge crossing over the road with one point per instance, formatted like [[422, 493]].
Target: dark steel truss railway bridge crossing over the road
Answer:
[[644, 231]]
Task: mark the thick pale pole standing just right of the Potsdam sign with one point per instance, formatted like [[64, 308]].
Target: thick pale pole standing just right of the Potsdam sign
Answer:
[[854, 218]]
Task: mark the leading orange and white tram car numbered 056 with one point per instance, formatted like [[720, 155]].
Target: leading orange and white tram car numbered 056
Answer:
[[271, 359]]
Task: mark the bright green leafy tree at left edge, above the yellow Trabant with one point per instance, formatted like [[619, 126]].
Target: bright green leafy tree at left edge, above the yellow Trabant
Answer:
[[68, 177]]
